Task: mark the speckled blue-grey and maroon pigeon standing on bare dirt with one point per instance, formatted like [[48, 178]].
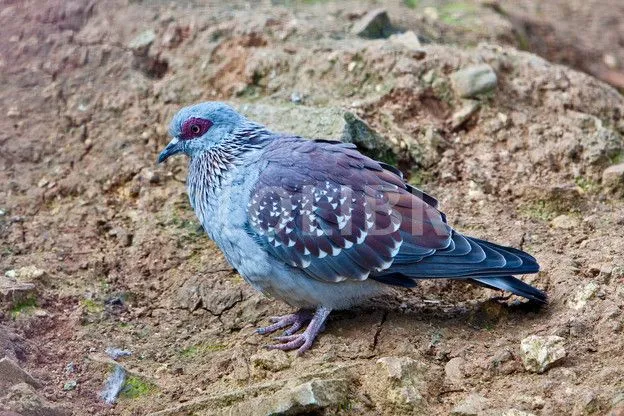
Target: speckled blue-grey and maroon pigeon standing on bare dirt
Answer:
[[320, 226]]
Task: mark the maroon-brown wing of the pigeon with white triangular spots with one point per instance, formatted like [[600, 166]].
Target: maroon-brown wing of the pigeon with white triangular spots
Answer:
[[336, 214]]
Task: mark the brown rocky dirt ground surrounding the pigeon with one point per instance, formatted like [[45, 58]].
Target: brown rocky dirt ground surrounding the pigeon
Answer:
[[118, 259]]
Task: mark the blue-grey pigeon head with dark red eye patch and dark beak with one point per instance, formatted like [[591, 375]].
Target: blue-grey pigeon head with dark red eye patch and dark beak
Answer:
[[200, 127]]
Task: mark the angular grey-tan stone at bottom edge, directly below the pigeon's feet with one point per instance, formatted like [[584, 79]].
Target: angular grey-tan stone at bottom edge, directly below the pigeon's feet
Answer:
[[309, 397]]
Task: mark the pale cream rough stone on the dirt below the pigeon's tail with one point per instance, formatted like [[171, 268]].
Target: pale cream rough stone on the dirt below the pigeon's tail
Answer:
[[540, 353]]
